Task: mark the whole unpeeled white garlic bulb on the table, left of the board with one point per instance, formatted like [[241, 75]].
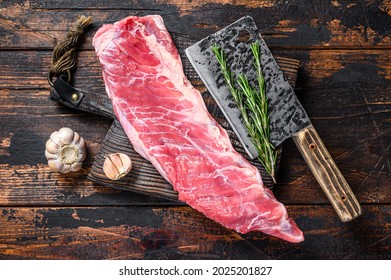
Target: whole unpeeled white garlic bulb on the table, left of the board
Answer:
[[65, 151]]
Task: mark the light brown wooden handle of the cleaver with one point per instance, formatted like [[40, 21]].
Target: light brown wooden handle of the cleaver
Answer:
[[327, 173]]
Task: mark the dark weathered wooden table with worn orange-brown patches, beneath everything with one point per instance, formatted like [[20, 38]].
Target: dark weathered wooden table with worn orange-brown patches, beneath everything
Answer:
[[344, 84]]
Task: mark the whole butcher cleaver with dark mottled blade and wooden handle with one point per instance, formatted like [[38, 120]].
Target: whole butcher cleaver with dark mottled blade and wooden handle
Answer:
[[287, 116]]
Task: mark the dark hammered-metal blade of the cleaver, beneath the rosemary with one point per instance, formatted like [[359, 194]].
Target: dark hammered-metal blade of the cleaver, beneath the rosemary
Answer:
[[287, 116]]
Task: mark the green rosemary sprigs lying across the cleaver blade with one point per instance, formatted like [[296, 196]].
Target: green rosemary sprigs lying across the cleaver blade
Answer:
[[253, 106]]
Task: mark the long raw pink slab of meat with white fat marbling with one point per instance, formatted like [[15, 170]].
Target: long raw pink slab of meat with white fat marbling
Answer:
[[167, 123]]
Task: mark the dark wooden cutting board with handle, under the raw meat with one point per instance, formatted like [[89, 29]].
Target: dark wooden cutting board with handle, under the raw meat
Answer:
[[144, 178]]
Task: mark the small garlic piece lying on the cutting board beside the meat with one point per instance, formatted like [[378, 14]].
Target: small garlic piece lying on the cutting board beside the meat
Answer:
[[117, 165]]
